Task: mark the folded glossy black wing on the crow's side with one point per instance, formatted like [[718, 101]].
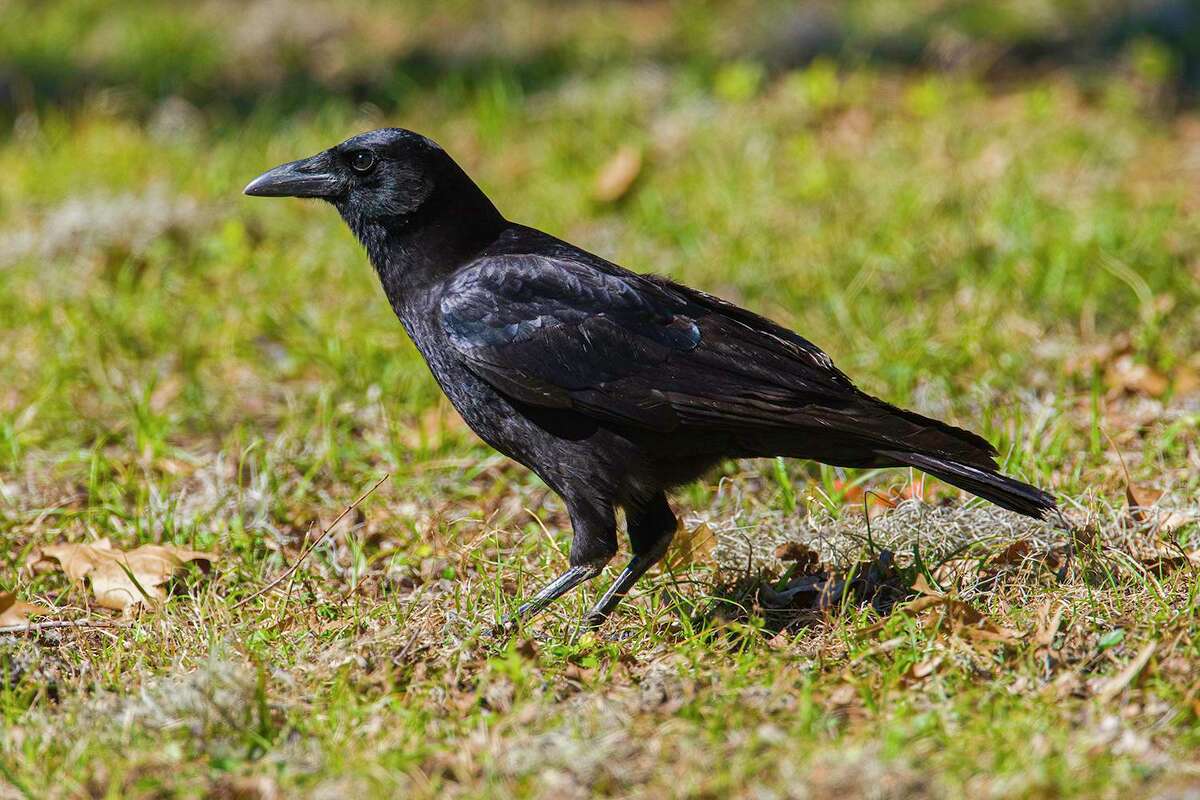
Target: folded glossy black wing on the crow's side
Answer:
[[621, 347]]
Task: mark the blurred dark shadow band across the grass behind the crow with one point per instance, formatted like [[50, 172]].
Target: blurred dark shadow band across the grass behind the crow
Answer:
[[970, 37]]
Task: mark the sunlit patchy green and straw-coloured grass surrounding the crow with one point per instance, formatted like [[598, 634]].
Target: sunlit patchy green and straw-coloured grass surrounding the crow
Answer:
[[183, 365]]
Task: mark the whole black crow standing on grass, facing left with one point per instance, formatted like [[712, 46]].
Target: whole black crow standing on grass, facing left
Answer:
[[613, 387]]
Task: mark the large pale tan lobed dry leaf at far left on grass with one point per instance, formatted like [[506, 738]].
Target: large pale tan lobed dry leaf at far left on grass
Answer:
[[121, 580]]
